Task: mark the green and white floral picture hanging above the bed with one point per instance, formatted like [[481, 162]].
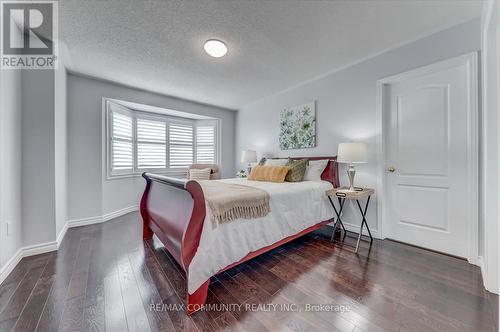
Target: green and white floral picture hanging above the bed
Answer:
[[298, 127]]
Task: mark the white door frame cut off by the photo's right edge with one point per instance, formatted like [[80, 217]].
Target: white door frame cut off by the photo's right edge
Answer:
[[490, 143]]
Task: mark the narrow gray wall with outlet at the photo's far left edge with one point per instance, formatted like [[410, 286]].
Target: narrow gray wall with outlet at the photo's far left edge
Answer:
[[10, 164]]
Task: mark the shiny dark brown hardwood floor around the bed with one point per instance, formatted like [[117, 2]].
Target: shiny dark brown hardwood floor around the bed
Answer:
[[104, 277]]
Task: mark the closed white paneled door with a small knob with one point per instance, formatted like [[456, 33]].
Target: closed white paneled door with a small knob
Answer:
[[428, 148]]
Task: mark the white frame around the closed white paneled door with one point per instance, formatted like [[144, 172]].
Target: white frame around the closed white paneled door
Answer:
[[471, 61]]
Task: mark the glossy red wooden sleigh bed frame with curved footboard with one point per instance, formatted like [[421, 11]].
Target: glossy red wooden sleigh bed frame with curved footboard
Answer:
[[174, 210]]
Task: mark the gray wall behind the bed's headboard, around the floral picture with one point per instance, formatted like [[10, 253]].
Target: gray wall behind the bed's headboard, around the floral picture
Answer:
[[346, 104]]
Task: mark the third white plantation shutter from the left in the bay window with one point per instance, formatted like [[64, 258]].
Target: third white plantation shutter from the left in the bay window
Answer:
[[180, 145]]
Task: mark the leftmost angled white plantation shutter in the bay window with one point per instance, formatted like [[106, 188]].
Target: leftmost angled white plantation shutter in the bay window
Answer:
[[122, 142]]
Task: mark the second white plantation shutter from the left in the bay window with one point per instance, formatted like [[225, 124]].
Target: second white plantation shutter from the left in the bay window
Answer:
[[151, 144]]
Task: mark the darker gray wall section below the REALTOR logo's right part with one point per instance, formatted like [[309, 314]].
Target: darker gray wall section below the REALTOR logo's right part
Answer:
[[38, 155]]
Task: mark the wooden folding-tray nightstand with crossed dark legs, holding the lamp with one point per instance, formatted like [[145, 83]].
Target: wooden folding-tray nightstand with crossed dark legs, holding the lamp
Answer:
[[342, 194]]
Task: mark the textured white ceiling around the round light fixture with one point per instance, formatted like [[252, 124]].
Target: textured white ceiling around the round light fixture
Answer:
[[273, 45]]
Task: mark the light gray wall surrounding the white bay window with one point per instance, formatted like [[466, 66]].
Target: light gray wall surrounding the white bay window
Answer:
[[89, 193]]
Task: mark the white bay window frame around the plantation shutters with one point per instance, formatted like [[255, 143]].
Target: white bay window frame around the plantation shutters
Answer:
[[135, 114]]
